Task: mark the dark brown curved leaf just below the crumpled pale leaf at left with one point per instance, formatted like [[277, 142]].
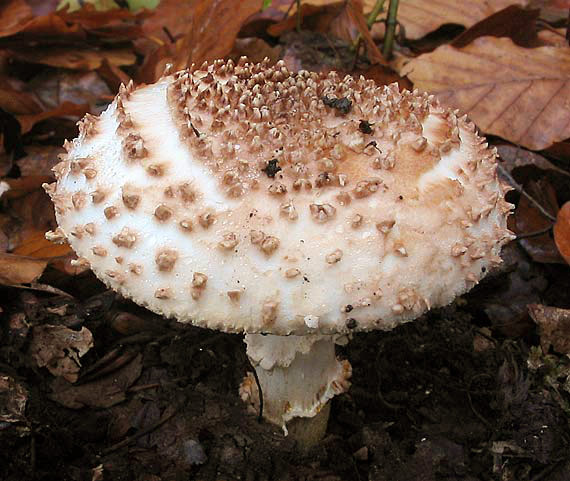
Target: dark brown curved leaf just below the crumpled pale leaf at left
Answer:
[[101, 393]]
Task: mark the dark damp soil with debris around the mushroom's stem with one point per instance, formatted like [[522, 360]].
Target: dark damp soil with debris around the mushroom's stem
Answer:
[[448, 397]]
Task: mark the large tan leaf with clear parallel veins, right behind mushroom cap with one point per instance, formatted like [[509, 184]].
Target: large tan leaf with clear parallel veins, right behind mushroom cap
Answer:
[[519, 94]]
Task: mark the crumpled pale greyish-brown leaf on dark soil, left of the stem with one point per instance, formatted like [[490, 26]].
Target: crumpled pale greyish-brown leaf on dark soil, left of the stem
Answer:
[[59, 349]]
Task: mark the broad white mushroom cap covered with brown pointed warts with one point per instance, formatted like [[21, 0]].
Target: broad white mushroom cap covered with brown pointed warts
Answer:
[[244, 197]]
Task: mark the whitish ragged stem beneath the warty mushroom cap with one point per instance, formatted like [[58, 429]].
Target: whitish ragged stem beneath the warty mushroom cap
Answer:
[[298, 375]]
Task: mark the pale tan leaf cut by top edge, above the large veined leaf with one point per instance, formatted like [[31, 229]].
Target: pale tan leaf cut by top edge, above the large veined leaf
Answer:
[[420, 17]]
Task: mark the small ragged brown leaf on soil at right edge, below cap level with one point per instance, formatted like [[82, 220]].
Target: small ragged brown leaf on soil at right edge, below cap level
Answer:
[[554, 324]]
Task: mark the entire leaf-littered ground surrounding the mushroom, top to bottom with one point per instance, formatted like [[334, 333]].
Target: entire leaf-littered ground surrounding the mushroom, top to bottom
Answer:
[[476, 391]]
